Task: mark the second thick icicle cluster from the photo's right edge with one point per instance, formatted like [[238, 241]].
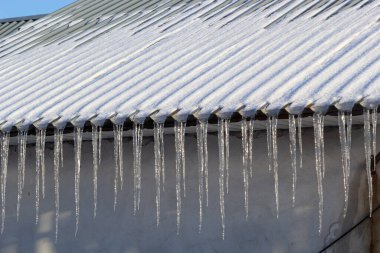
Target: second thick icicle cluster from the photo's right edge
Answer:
[[345, 122]]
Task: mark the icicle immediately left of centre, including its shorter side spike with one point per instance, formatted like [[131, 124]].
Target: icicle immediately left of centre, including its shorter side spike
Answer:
[[179, 136]]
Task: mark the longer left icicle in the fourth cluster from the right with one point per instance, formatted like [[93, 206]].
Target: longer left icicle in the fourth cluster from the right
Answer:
[[293, 153]]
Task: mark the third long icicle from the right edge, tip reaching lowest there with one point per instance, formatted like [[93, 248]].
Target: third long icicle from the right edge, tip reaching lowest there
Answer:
[[318, 123]]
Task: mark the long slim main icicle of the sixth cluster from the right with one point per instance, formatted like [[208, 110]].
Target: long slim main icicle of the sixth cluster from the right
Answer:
[[245, 158]]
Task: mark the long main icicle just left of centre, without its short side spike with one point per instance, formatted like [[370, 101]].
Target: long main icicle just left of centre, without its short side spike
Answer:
[[179, 170]]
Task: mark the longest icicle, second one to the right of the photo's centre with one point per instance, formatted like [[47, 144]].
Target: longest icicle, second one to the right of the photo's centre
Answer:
[[222, 160]]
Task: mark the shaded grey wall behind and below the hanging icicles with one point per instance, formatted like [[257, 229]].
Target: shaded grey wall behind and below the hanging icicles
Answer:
[[296, 230]]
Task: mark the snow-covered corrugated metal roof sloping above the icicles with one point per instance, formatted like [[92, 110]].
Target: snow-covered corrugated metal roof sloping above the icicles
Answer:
[[116, 59]]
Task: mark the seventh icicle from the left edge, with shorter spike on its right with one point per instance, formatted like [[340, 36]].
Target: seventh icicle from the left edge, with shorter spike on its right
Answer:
[[118, 156]]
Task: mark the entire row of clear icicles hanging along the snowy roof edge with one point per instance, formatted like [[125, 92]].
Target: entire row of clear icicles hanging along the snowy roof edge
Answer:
[[247, 129]]
